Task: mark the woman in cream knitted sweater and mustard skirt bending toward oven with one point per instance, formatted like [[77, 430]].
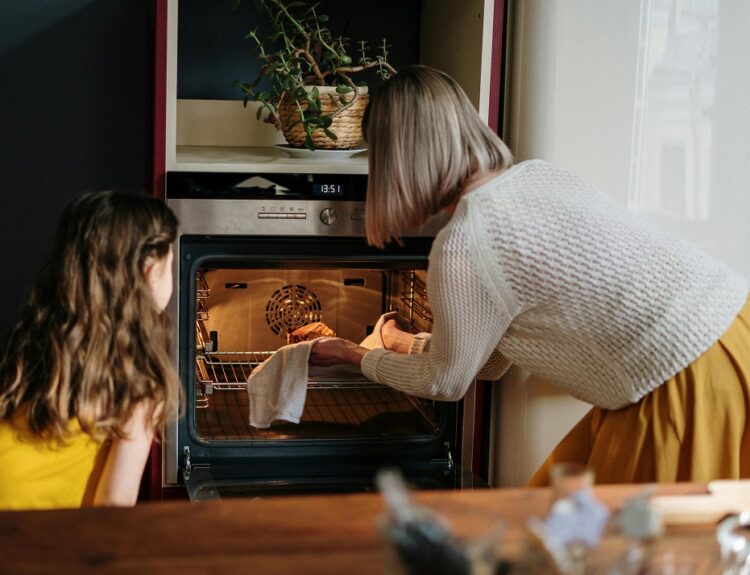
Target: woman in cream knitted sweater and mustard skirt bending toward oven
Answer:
[[538, 268]]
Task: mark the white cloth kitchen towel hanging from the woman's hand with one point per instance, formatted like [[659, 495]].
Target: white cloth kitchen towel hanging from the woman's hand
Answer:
[[277, 388]]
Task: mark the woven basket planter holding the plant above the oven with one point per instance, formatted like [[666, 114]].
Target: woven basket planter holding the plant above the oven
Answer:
[[347, 120]]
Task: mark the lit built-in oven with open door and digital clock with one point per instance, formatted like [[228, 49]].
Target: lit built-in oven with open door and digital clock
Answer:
[[260, 255]]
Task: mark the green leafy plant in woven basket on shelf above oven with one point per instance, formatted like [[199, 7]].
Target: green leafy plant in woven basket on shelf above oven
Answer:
[[305, 84]]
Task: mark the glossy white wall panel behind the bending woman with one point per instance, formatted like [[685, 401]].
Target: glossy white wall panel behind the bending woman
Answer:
[[649, 100]]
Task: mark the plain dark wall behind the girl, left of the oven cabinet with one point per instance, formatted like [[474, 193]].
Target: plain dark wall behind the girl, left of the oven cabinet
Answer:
[[75, 110]]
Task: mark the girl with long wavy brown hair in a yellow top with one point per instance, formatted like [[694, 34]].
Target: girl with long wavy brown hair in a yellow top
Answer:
[[86, 375]]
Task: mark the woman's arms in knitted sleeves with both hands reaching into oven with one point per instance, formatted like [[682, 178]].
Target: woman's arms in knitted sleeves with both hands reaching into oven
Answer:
[[470, 315]]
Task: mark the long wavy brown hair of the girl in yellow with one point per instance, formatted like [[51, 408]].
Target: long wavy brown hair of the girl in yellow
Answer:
[[91, 342]]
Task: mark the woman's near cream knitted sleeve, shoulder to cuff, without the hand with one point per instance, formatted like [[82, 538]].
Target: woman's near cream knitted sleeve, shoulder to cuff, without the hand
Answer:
[[468, 321]]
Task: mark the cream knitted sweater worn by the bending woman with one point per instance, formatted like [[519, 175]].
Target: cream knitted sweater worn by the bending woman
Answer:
[[539, 268]]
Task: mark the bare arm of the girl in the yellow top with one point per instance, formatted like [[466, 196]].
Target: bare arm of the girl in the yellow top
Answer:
[[126, 460]]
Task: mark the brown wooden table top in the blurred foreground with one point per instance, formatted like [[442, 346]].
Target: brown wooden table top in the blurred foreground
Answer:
[[329, 535]]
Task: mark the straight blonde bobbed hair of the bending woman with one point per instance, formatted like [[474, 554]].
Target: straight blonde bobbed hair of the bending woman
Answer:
[[425, 141]]
